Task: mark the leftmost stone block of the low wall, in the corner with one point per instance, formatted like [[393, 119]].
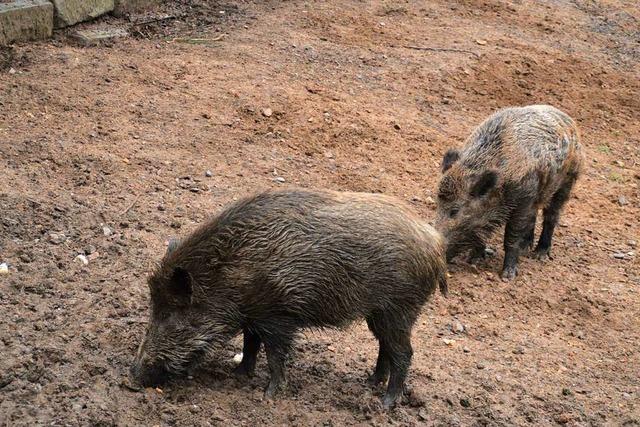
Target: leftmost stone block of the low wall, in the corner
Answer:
[[23, 20]]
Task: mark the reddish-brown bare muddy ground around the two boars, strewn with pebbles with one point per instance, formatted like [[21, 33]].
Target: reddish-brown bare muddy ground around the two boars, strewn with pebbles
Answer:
[[104, 152]]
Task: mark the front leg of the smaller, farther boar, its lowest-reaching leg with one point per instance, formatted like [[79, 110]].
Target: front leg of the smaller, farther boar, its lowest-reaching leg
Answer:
[[516, 237]]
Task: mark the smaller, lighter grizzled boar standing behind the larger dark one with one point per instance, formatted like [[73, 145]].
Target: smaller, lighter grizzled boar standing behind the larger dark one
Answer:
[[516, 162]]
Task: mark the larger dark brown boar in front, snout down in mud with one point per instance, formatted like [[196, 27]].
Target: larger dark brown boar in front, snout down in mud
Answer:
[[277, 262]]
